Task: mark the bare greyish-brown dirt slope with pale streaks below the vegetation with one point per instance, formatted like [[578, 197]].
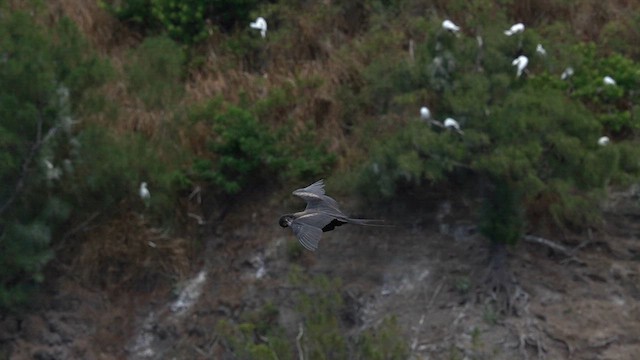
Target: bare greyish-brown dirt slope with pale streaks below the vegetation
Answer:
[[423, 271]]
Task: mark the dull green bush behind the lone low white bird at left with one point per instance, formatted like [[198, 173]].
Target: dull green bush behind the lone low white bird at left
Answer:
[[111, 168]]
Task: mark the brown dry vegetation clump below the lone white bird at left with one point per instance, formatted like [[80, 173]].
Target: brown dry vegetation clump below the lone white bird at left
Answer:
[[126, 254]]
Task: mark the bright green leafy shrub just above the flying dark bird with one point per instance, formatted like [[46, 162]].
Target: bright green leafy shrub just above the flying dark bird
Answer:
[[244, 151]]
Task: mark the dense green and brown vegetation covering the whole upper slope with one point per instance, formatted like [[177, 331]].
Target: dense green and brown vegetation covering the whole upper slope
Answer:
[[201, 101]]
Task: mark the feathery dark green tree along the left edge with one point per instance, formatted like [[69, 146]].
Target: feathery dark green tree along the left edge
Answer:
[[44, 76]]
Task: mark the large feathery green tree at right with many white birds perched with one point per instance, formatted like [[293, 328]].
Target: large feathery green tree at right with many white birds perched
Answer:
[[533, 137]]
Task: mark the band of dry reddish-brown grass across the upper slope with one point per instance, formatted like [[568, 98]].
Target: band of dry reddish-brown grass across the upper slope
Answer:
[[308, 53]]
